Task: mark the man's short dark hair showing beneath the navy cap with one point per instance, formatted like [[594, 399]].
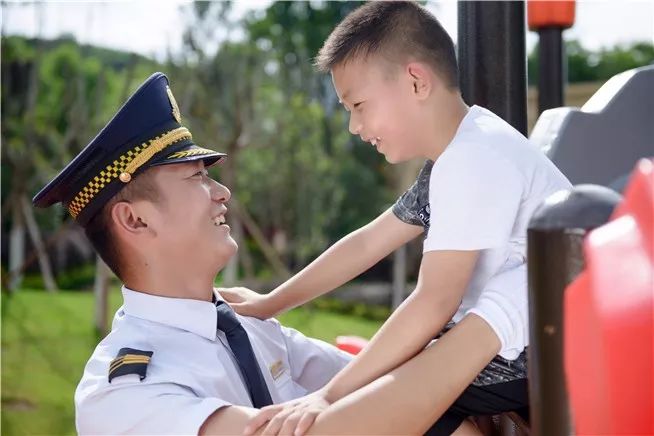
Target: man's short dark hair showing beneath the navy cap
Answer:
[[99, 229]]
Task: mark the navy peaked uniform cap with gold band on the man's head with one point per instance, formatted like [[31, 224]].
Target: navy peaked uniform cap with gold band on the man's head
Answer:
[[146, 131]]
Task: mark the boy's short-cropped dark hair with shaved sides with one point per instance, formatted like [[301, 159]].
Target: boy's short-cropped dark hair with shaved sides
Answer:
[[399, 30]]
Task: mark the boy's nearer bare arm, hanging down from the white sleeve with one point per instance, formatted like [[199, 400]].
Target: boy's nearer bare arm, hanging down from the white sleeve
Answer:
[[444, 276]]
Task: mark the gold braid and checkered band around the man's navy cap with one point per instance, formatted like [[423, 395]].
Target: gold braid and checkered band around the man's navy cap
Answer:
[[123, 167]]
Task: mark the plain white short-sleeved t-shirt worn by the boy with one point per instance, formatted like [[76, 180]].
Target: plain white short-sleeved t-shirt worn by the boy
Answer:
[[483, 190]]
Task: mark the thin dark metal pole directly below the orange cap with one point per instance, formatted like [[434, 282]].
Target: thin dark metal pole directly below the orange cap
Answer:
[[551, 68]]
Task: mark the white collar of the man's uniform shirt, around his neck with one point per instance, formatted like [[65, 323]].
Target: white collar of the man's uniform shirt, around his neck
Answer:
[[194, 316]]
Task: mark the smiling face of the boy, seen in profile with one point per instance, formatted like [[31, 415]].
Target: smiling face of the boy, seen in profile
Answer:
[[382, 106]]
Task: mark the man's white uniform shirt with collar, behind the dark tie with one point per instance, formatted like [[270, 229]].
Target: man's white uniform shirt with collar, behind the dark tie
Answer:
[[192, 371]]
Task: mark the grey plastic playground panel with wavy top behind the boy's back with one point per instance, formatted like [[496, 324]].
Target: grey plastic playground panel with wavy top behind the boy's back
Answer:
[[601, 142]]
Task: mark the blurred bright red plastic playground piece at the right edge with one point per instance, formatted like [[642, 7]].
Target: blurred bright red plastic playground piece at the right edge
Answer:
[[609, 319]]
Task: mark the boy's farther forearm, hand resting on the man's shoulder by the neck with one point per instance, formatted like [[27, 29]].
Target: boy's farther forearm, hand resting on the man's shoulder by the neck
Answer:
[[343, 261]]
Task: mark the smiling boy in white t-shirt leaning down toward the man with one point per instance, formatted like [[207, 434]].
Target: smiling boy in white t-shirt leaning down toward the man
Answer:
[[394, 69]]
